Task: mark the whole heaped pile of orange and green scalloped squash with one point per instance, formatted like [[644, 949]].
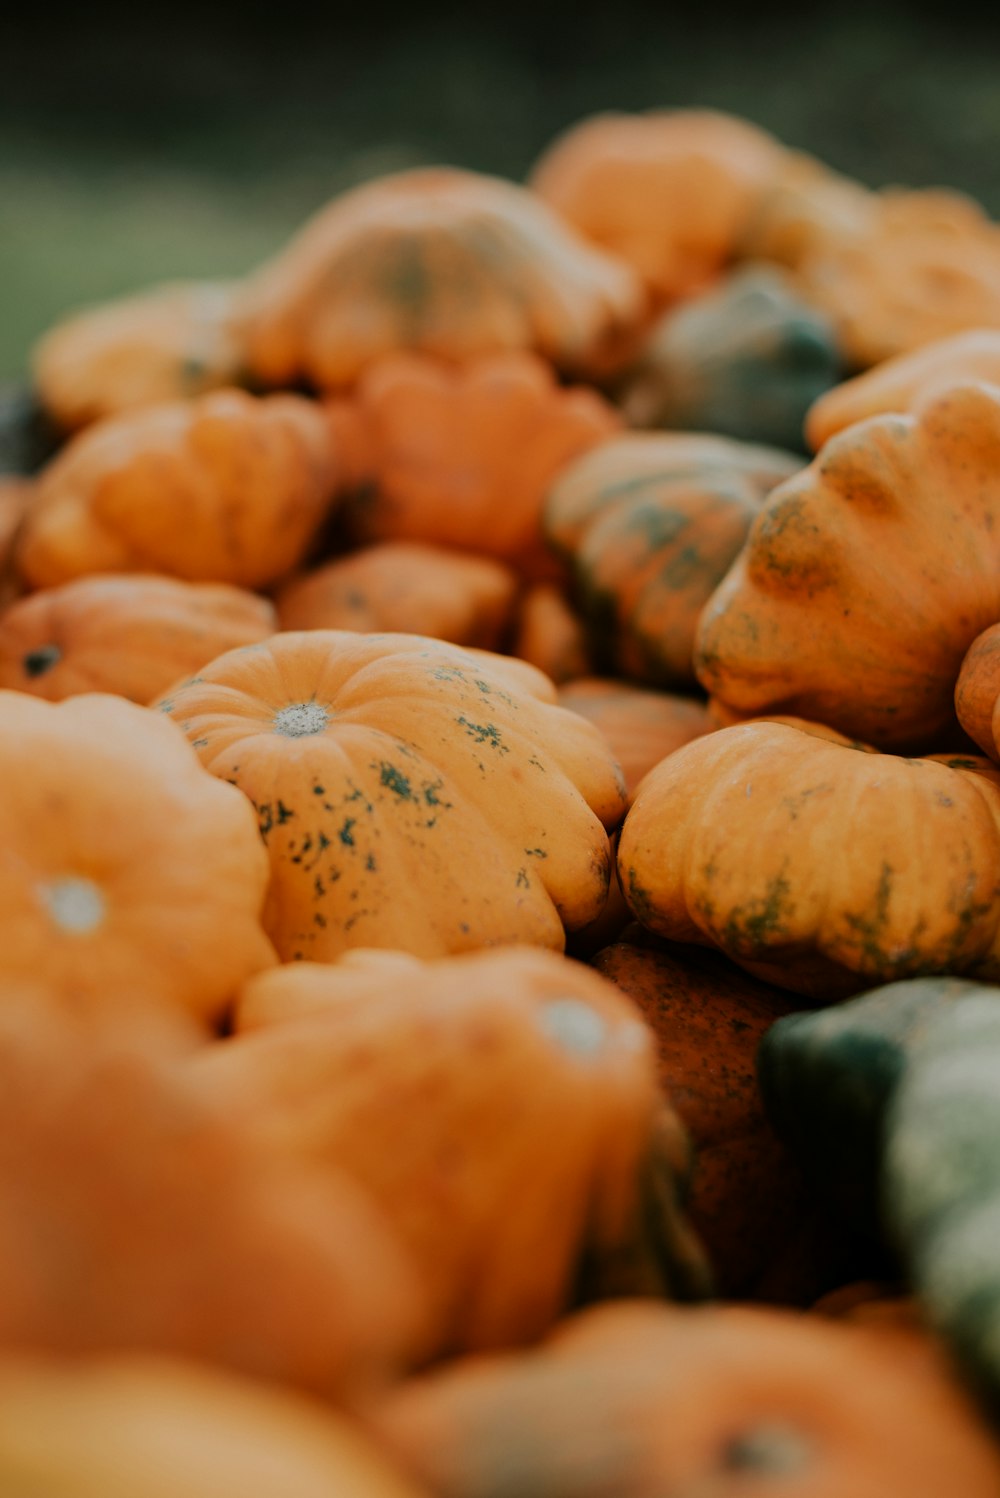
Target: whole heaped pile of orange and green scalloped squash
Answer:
[[501, 865]]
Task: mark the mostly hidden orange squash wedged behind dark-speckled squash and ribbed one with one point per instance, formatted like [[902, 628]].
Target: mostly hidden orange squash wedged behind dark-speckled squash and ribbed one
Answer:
[[641, 726]]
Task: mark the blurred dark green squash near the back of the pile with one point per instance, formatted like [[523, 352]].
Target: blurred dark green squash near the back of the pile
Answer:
[[746, 359]]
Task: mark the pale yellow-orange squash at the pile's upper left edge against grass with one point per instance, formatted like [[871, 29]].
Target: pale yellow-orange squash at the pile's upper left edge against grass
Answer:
[[168, 344]]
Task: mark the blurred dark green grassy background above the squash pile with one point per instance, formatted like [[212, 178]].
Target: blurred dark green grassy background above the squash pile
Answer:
[[144, 143]]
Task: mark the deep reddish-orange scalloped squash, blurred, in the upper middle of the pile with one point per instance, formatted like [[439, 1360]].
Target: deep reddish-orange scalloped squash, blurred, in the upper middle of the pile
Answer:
[[463, 458]]
